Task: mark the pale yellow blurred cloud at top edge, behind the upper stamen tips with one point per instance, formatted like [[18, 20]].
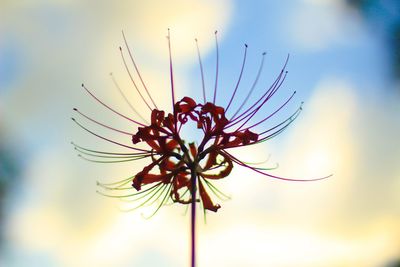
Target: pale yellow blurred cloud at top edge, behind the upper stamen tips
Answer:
[[146, 24]]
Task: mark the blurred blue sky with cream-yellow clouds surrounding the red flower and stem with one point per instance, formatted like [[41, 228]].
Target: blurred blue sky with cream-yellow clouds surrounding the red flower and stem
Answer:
[[344, 65]]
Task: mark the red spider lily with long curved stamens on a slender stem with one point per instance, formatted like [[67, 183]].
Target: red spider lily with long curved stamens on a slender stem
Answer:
[[176, 167]]
